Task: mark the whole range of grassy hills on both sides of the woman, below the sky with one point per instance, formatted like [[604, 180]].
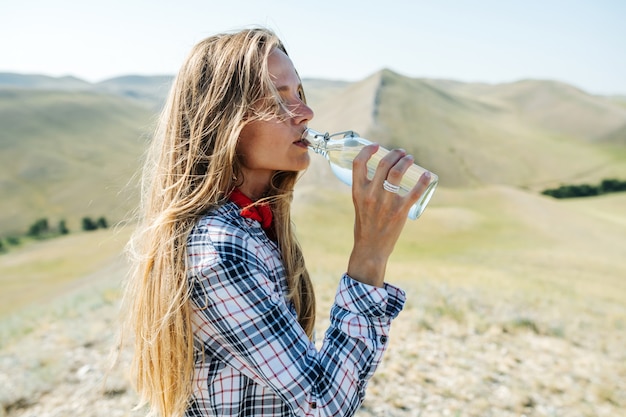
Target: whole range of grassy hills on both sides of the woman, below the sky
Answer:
[[70, 147]]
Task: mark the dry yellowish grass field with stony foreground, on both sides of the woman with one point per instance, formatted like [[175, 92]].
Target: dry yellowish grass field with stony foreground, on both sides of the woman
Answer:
[[516, 306]]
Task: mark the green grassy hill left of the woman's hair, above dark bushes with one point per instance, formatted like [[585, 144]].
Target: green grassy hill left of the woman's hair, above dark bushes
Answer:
[[66, 155]]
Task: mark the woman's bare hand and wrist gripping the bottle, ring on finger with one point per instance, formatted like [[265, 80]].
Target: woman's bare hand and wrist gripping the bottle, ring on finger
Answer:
[[380, 215]]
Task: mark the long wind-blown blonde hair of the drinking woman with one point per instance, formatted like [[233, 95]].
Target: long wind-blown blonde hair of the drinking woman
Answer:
[[191, 167]]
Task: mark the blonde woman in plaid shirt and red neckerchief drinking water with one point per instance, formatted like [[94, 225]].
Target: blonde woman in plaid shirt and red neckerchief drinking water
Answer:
[[220, 302]]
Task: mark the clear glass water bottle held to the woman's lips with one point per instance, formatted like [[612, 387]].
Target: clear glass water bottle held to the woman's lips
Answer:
[[341, 152]]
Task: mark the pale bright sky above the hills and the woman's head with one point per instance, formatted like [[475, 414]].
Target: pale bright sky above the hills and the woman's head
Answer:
[[578, 42]]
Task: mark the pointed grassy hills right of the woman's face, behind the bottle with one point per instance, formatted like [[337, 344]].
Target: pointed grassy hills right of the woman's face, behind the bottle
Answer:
[[476, 134]]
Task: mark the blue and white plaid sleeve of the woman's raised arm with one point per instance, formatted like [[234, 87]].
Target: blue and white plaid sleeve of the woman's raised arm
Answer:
[[243, 316]]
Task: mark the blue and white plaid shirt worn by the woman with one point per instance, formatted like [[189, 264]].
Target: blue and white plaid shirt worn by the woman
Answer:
[[252, 358]]
